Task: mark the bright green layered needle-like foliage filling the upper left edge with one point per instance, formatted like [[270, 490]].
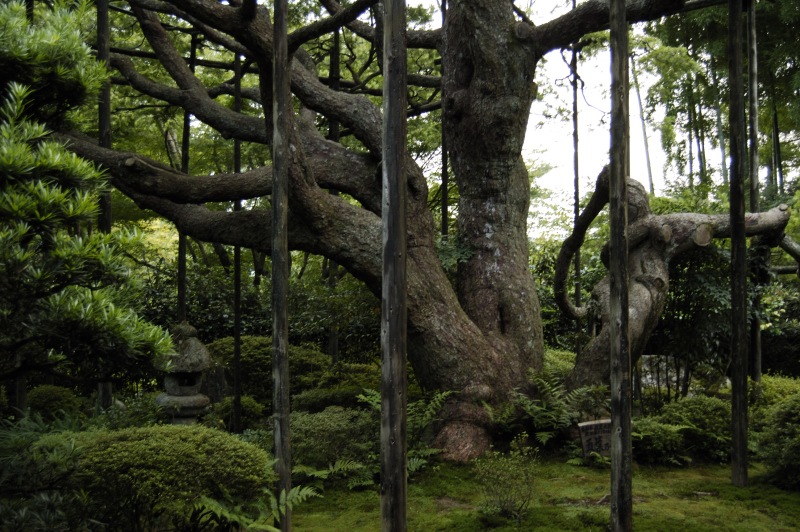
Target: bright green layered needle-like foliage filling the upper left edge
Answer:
[[66, 294]]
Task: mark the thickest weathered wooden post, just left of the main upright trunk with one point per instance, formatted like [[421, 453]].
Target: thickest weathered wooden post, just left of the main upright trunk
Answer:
[[393, 303]]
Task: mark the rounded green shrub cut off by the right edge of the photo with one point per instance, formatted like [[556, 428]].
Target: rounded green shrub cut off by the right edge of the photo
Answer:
[[779, 445]]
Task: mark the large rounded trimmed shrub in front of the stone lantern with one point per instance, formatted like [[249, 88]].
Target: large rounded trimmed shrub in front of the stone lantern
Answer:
[[142, 478]]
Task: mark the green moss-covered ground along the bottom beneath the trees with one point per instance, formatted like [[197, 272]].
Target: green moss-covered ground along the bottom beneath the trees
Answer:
[[446, 497]]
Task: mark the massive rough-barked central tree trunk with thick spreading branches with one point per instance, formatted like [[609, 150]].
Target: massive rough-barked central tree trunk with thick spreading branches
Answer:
[[480, 340]]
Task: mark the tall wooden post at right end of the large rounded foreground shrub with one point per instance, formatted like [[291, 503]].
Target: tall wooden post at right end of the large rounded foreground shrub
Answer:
[[281, 107]]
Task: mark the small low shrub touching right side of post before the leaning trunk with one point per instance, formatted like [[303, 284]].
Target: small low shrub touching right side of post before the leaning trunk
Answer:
[[658, 443]]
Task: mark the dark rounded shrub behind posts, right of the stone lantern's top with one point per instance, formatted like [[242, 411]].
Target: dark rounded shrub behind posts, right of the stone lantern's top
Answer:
[[306, 366]]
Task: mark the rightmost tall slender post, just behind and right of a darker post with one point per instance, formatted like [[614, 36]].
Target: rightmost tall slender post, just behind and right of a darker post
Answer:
[[752, 93]]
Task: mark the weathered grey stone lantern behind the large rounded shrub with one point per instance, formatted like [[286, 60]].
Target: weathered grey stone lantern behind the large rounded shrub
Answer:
[[183, 401]]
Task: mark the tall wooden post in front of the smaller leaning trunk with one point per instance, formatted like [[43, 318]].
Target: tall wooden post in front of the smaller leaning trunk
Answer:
[[621, 458]]
